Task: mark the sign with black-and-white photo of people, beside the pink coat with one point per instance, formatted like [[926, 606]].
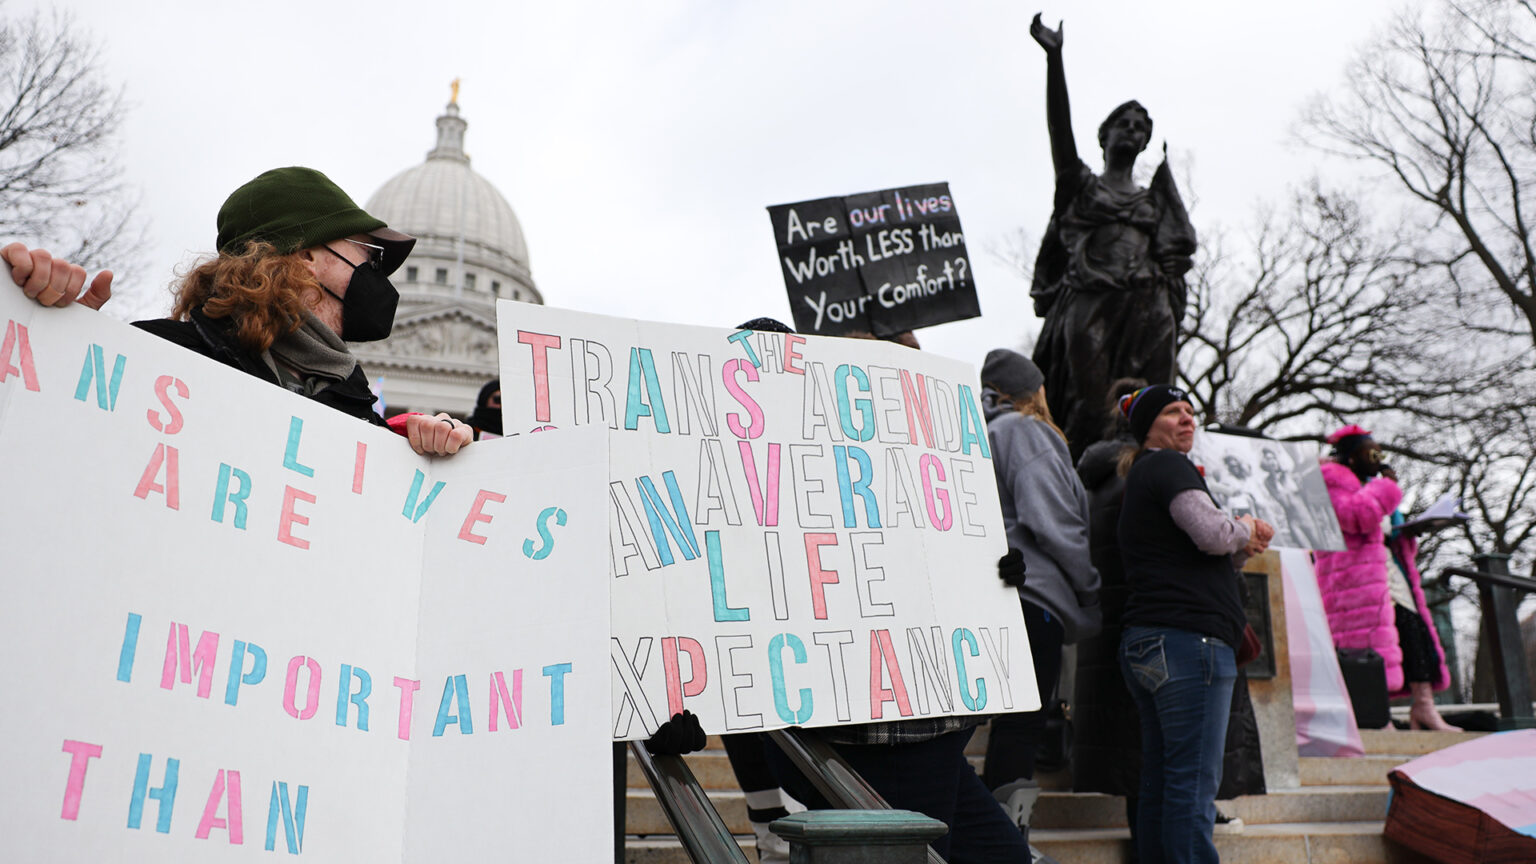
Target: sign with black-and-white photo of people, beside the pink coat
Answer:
[[1277, 482]]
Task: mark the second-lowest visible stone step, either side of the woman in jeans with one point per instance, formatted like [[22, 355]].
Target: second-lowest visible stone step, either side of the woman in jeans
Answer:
[[1062, 811]]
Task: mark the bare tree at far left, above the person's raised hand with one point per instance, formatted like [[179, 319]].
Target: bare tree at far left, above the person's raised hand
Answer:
[[61, 182]]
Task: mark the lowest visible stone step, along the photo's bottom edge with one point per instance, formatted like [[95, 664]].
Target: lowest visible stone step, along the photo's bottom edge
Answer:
[[1289, 843]]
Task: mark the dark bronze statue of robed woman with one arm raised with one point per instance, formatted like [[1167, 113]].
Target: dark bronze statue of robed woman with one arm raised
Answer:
[[1110, 277]]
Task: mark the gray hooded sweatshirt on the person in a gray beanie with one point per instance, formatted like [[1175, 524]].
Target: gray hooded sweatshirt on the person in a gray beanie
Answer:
[[1045, 513]]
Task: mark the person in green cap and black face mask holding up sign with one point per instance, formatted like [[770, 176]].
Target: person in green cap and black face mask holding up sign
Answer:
[[300, 273]]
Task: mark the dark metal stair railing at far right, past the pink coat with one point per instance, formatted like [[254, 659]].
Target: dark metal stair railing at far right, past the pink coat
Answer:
[[1501, 596]]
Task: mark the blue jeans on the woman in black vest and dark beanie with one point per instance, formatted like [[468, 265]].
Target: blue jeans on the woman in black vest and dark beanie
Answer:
[[1182, 683]]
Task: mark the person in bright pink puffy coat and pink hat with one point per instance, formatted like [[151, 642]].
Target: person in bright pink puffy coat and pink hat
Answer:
[[1372, 590]]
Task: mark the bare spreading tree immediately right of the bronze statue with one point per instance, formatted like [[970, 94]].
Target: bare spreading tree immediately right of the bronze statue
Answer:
[[1317, 324]]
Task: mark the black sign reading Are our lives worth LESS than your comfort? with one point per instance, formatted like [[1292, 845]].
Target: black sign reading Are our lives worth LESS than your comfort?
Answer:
[[878, 262]]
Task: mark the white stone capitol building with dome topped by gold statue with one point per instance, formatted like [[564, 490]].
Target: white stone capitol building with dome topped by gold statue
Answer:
[[469, 253]]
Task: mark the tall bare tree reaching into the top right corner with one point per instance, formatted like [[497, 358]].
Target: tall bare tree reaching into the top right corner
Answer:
[[1445, 105]]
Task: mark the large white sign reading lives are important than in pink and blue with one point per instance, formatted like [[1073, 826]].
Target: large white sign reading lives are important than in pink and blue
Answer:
[[236, 622]]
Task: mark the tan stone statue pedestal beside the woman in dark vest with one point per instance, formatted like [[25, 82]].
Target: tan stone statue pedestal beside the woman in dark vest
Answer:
[[1273, 705]]
